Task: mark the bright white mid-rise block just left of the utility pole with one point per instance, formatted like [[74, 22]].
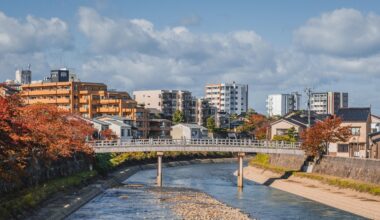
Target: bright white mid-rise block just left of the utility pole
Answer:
[[282, 104]]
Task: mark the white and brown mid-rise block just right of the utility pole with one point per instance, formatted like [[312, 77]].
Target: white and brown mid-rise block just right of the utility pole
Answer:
[[328, 102]]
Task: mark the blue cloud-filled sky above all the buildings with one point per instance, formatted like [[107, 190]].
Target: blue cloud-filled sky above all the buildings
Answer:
[[273, 46]]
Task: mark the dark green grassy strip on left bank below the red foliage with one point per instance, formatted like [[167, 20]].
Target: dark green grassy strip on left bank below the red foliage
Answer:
[[14, 204]]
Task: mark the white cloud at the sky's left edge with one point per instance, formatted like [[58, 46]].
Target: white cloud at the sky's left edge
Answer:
[[33, 34]]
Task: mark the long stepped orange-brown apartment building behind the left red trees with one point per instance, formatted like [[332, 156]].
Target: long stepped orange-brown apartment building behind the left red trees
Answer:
[[90, 100]]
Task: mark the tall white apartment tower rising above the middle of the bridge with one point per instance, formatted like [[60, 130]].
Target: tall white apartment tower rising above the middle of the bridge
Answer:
[[231, 98]]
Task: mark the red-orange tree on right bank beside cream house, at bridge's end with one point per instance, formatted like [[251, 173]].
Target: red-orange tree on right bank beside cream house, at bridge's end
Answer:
[[317, 138]]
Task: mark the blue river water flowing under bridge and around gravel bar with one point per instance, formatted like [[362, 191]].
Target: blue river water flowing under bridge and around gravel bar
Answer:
[[217, 180]]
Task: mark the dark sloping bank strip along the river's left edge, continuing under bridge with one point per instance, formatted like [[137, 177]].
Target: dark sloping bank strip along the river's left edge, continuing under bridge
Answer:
[[61, 206]]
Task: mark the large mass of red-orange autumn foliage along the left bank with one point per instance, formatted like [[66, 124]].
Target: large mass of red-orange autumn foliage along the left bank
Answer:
[[37, 132]]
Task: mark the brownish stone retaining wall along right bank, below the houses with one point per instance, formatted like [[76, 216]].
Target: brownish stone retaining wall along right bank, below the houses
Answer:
[[367, 170]]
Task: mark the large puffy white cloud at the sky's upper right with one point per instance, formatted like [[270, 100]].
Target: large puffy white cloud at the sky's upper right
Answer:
[[343, 32]]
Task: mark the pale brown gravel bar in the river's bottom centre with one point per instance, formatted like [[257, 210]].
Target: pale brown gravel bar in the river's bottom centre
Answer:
[[193, 204]]
